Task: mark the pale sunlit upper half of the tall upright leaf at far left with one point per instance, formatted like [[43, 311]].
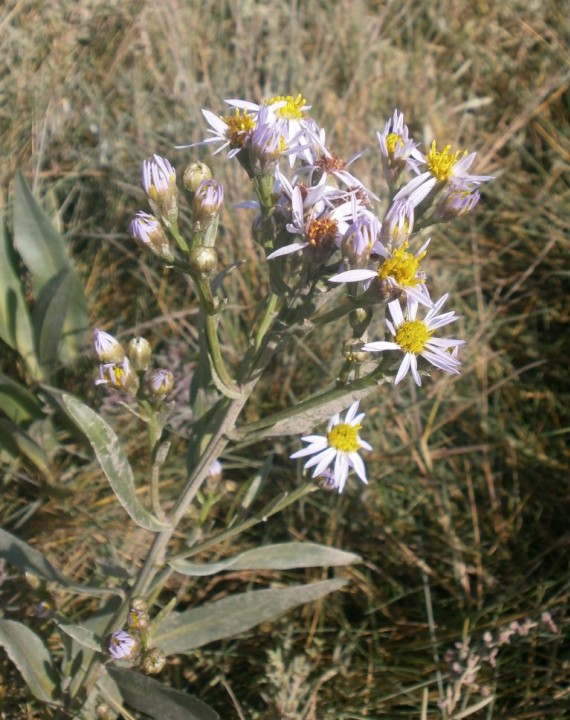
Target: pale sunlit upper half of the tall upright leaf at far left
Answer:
[[35, 238]]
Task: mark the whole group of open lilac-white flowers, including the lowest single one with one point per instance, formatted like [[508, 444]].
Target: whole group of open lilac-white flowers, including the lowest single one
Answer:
[[321, 210]]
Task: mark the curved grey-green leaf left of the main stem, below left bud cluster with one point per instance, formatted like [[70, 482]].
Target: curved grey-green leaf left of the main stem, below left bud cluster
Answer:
[[113, 462]]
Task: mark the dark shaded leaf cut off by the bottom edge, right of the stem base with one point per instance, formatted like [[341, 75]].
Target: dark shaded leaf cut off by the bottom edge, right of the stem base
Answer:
[[156, 700]]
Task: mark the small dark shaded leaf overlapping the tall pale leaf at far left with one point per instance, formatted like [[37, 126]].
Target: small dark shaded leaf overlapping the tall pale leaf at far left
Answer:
[[49, 315]]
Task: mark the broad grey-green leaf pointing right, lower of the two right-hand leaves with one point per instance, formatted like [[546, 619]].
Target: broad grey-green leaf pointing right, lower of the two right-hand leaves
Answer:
[[231, 616]]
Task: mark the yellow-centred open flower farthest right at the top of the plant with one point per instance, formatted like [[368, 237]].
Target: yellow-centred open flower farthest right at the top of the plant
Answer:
[[443, 167]]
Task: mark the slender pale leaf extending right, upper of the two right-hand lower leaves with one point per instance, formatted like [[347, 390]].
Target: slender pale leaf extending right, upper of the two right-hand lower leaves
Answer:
[[284, 556]]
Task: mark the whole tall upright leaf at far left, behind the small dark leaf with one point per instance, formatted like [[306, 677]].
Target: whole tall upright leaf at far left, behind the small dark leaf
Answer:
[[44, 253]]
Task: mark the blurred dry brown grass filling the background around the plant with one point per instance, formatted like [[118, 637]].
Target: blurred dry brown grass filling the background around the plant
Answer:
[[464, 526]]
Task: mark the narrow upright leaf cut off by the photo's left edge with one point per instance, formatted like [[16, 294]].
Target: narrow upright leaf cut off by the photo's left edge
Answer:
[[15, 323]]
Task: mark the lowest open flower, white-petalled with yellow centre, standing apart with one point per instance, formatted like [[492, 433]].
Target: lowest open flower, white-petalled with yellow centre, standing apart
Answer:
[[339, 448]]
